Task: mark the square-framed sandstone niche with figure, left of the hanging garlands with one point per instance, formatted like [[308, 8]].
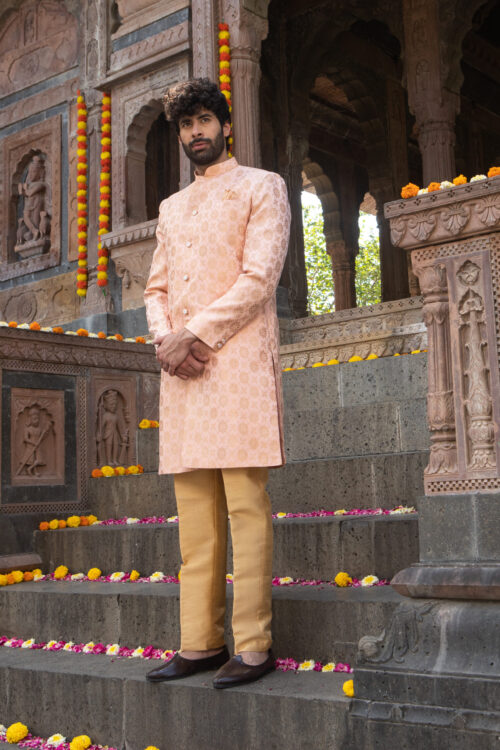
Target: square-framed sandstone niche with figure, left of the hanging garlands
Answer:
[[30, 213]]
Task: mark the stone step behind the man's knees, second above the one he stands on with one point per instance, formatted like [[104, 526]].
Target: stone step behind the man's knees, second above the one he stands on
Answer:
[[312, 548]]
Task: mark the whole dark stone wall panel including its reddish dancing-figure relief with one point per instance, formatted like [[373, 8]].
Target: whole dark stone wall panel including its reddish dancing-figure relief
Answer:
[[42, 438]]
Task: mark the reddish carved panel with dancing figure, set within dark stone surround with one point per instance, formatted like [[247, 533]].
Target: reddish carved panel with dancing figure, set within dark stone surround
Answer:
[[37, 437]]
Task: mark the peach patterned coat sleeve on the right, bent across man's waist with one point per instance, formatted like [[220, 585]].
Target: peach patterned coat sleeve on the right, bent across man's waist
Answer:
[[264, 253]]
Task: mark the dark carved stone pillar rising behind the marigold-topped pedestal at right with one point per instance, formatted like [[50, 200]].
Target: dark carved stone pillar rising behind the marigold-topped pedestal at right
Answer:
[[433, 104]]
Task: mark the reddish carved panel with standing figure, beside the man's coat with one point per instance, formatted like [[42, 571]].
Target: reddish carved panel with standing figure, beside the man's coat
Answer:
[[113, 416]]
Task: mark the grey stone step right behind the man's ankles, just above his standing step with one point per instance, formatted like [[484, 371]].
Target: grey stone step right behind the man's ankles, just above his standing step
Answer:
[[309, 622]]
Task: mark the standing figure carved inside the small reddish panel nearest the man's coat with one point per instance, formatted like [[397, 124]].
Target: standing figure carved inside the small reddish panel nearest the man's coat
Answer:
[[112, 431]]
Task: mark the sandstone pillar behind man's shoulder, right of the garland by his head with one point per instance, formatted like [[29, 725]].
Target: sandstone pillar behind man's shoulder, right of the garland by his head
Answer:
[[248, 27]]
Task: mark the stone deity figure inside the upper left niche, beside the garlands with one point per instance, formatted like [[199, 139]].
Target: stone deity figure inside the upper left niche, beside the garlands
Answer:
[[33, 230]]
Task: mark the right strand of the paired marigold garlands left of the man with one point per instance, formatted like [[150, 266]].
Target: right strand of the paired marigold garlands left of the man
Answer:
[[105, 191]]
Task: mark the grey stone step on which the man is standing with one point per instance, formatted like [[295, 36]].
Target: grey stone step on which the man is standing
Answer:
[[110, 700]]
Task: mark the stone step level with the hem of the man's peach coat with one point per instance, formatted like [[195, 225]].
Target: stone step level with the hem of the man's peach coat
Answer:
[[371, 481]]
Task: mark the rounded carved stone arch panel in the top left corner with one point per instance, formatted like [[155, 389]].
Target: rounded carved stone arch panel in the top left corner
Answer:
[[37, 41]]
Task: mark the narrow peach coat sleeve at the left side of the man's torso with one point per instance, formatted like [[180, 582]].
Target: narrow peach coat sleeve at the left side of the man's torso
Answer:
[[156, 292]]
